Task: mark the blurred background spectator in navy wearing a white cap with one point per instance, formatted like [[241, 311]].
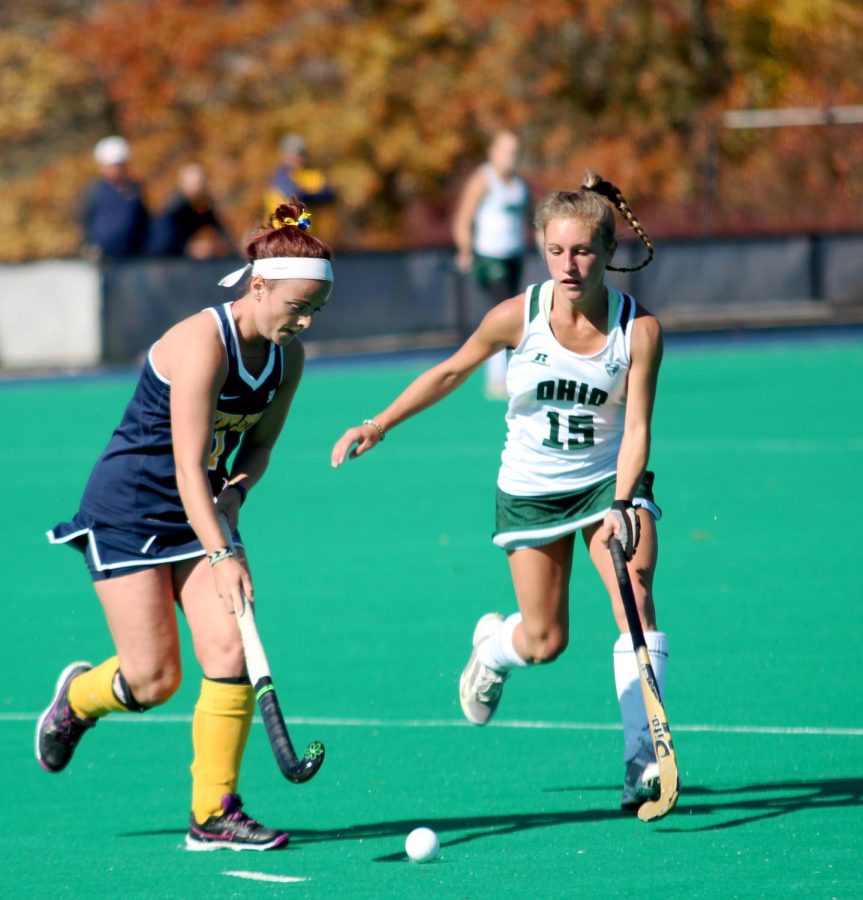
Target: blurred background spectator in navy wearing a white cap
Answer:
[[113, 216]]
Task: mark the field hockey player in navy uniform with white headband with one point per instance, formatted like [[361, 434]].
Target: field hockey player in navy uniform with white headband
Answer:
[[194, 440]]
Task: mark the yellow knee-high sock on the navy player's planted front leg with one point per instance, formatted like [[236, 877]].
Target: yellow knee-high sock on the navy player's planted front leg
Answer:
[[220, 727]]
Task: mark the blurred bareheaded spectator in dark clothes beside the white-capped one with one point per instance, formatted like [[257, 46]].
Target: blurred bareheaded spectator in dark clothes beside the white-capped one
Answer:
[[189, 224]]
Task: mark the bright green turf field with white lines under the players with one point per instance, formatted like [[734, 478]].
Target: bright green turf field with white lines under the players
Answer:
[[369, 580]]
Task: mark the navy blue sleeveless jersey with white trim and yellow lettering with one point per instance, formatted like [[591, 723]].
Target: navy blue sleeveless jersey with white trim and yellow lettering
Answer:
[[134, 482]]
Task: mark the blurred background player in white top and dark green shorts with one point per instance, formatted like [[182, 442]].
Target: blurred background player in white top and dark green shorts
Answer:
[[490, 230]]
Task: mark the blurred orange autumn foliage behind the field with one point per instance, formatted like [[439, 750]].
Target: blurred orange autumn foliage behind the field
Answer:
[[396, 100]]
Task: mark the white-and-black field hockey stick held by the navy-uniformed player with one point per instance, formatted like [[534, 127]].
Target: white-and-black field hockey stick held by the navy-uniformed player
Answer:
[[292, 767]]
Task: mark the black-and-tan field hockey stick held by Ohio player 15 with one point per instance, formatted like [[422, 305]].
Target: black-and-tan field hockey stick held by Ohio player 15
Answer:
[[666, 759]]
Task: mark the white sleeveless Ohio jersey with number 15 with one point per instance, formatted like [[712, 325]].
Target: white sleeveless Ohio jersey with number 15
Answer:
[[566, 411]]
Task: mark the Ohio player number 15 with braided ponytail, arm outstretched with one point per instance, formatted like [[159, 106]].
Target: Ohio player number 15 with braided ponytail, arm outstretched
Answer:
[[581, 383]]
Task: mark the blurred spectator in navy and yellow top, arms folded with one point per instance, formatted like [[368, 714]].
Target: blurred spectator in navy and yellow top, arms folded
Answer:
[[295, 177]]
